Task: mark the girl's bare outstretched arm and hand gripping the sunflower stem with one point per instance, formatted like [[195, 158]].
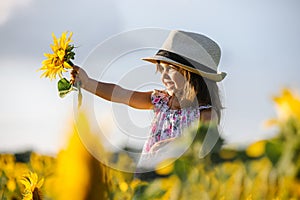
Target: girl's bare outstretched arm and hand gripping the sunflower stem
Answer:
[[111, 92]]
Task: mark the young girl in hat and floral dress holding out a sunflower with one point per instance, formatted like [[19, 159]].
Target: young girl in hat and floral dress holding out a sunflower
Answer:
[[188, 64]]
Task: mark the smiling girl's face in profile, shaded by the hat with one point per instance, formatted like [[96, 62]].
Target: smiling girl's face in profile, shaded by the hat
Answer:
[[172, 79]]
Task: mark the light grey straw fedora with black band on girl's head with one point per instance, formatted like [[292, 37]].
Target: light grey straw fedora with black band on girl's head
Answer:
[[191, 51]]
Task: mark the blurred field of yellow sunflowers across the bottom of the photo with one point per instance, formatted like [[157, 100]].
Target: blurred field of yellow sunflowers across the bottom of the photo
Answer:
[[266, 169]]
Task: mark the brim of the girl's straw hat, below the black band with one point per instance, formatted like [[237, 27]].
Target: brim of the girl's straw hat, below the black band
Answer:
[[212, 76]]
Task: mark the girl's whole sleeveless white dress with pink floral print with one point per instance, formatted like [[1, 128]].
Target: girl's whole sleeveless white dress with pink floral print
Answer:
[[167, 124]]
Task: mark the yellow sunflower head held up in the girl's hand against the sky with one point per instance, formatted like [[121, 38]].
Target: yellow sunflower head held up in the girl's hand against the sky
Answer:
[[57, 63]]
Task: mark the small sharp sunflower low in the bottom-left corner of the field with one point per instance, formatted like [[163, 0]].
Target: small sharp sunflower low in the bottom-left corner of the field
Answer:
[[32, 186]]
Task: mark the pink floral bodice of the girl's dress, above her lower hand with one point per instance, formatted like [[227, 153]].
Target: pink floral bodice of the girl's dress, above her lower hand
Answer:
[[168, 123]]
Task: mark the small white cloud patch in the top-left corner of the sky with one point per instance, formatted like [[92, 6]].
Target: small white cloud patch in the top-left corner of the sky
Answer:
[[8, 6]]
